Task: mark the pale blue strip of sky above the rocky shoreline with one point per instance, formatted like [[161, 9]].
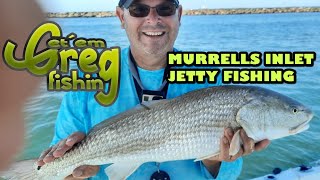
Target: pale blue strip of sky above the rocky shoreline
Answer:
[[109, 5]]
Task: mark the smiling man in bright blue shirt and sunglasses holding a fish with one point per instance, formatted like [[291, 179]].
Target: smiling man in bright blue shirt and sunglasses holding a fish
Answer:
[[152, 27]]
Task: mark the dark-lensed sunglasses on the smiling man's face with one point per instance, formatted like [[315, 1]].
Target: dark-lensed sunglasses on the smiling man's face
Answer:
[[143, 10]]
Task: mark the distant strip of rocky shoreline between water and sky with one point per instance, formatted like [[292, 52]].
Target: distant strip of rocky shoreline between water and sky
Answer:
[[196, 12]]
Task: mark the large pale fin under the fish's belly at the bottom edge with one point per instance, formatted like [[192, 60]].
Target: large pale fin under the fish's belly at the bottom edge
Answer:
[[121, 171]]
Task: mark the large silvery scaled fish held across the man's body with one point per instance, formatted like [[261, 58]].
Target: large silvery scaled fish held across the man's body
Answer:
[[187, 127]]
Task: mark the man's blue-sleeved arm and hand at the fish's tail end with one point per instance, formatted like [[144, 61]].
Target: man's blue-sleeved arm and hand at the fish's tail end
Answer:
[[69, 130]]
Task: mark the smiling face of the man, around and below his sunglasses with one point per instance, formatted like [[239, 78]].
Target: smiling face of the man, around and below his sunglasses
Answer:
[[153, 34]]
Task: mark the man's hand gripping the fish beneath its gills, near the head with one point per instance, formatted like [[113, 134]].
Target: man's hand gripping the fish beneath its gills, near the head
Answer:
[[213, 163]]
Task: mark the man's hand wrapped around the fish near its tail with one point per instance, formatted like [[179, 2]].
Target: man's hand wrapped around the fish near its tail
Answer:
[[60, 149]]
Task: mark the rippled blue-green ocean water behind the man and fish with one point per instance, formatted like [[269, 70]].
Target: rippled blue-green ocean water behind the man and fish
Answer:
[[264, 32]]
